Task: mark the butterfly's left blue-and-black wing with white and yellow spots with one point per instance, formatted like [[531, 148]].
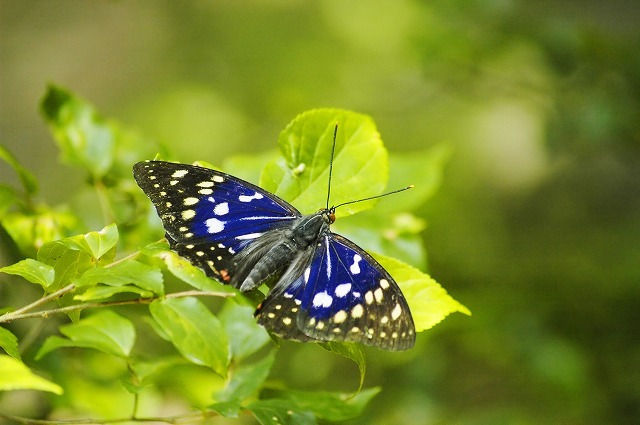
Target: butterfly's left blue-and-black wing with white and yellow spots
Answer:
[[210, 216]]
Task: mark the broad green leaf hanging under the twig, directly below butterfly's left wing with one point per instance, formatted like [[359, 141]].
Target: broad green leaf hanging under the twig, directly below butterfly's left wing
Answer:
[[194, 331]]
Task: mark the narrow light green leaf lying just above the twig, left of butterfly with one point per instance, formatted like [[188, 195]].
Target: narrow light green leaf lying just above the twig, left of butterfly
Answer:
[[145, 277]]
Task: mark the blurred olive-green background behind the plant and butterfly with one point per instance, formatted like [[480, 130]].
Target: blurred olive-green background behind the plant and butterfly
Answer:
[[536, 227]]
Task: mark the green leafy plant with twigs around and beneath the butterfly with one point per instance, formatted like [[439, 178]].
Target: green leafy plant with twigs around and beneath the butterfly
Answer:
[[157, 323]]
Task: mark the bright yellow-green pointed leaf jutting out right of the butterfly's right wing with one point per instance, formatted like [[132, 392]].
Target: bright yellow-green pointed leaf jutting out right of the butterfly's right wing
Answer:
[[429, 302]]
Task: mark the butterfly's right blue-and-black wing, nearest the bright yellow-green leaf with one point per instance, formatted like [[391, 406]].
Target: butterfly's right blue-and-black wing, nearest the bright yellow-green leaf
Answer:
[[343, 294]]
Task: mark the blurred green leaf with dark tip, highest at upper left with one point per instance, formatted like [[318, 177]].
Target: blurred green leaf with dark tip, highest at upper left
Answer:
[[83, 136]]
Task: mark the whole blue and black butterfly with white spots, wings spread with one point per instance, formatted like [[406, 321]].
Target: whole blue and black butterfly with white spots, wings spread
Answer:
[[324, 287]]
